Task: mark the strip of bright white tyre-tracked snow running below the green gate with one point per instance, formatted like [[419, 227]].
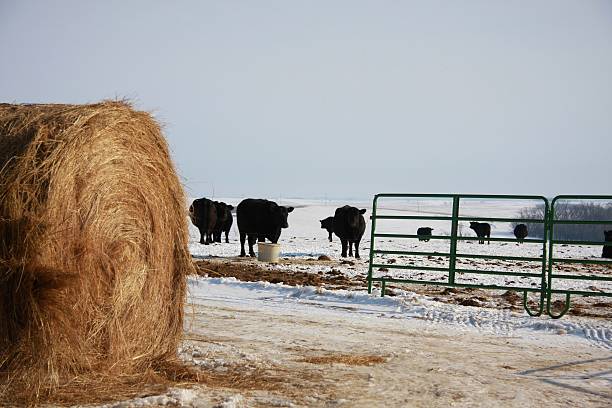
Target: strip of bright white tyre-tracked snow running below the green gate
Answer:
[[279, 298]]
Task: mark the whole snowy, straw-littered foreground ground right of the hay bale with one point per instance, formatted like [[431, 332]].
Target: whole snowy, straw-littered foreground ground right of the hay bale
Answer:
[[305, 346]]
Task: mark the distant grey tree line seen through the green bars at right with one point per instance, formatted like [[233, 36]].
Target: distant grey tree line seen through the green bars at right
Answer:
[[571, 211]]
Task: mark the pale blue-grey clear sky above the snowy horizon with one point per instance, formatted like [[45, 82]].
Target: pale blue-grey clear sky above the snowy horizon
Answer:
[[339, 99]]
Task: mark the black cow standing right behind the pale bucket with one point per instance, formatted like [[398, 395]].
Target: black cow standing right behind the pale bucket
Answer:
[[260, 220]]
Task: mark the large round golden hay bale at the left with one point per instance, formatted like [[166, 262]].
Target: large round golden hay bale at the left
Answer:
[[93, 250]]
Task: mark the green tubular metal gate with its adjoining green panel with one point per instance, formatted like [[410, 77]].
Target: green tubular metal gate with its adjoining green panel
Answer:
[[544, 279]]
